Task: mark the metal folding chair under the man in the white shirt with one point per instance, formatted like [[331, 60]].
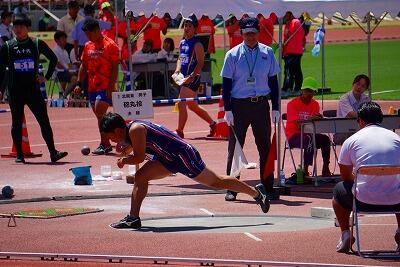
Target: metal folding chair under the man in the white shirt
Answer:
[[379, 170]]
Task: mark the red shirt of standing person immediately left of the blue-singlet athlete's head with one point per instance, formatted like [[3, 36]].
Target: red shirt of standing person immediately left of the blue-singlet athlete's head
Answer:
[[153, 30]]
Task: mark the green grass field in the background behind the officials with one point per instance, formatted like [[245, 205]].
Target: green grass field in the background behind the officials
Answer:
[[343, 62]]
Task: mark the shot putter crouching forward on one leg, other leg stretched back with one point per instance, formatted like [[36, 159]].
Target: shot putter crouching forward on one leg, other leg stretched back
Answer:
[[167, 153]]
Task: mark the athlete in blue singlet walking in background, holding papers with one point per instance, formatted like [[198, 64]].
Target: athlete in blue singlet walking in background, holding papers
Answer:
[[190, 63]]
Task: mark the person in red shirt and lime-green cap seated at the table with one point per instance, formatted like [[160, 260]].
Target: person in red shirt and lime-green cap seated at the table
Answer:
[[304, 107]]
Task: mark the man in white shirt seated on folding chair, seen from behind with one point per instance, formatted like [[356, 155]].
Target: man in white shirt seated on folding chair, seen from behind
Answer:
[[372, 144]]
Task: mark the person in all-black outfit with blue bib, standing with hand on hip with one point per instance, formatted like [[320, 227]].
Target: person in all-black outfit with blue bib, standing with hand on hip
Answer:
[[21, 56]]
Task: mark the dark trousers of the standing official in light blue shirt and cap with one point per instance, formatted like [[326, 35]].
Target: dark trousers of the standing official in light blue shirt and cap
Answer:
[[248, 112]]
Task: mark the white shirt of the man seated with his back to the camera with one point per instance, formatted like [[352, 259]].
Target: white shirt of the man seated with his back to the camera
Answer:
[[374, 144]]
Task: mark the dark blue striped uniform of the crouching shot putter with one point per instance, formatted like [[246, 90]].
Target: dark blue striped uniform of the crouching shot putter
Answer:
[[170, 150]]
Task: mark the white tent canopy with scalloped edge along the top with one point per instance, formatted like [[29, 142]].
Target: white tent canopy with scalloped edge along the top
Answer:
[[226, 7]]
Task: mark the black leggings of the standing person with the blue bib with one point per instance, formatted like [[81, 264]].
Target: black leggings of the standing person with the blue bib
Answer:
[[34, 100]]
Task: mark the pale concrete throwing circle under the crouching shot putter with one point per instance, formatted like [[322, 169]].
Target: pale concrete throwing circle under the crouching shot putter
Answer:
[[233, 224]]
